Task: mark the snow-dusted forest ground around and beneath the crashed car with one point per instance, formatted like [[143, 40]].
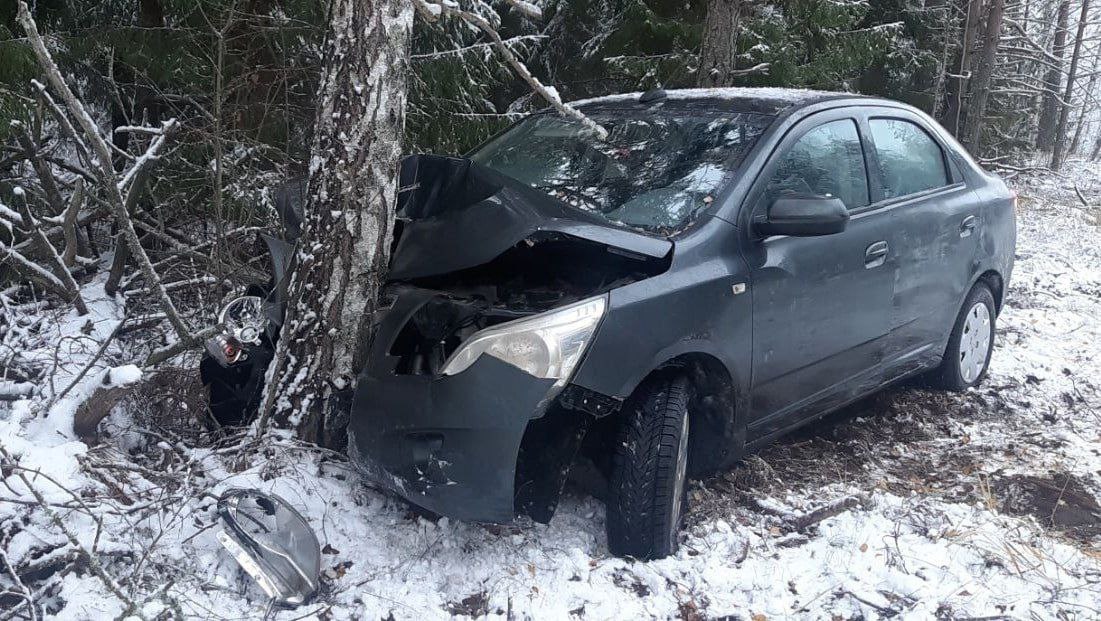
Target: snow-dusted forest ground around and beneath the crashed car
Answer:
[[912, 504]]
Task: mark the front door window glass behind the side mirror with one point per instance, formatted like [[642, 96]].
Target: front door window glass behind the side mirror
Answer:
[[827, 161]]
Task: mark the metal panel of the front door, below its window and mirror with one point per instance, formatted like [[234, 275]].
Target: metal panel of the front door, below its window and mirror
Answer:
[[821, 321]]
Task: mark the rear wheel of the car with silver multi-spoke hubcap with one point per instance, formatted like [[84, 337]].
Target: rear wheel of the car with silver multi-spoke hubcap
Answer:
[[967, 356]]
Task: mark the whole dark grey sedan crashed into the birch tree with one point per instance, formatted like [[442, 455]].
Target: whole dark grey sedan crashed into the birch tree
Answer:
[[728, 266]]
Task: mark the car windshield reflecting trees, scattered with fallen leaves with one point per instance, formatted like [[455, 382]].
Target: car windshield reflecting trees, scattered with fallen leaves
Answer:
[[657, 171]]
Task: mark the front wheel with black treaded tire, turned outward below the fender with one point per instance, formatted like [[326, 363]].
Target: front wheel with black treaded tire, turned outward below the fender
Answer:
[[648, 487]]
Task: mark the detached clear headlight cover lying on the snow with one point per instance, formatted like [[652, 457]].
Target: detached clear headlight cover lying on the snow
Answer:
[[274, 543]]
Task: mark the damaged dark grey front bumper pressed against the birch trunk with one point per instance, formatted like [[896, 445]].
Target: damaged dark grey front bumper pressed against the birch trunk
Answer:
[[449, 444]]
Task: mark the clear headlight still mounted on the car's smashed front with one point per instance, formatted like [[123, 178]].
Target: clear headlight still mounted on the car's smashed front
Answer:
[[549, 345]]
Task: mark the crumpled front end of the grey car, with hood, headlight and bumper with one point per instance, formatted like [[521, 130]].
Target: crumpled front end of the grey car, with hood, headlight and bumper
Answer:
[[497, 292]]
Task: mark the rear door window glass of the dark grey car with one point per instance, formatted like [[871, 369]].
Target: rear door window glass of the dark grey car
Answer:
[[910, 160]]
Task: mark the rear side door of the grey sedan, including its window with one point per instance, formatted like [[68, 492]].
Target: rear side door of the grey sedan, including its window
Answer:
[[936, 221]]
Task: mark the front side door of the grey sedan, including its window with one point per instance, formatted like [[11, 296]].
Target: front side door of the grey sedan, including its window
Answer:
[[822, 306]]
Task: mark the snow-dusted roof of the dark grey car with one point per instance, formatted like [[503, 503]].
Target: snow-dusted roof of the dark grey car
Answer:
[[765, 101]]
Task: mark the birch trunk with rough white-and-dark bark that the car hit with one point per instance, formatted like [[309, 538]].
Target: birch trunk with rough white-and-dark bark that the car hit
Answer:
[[344, 250]]
